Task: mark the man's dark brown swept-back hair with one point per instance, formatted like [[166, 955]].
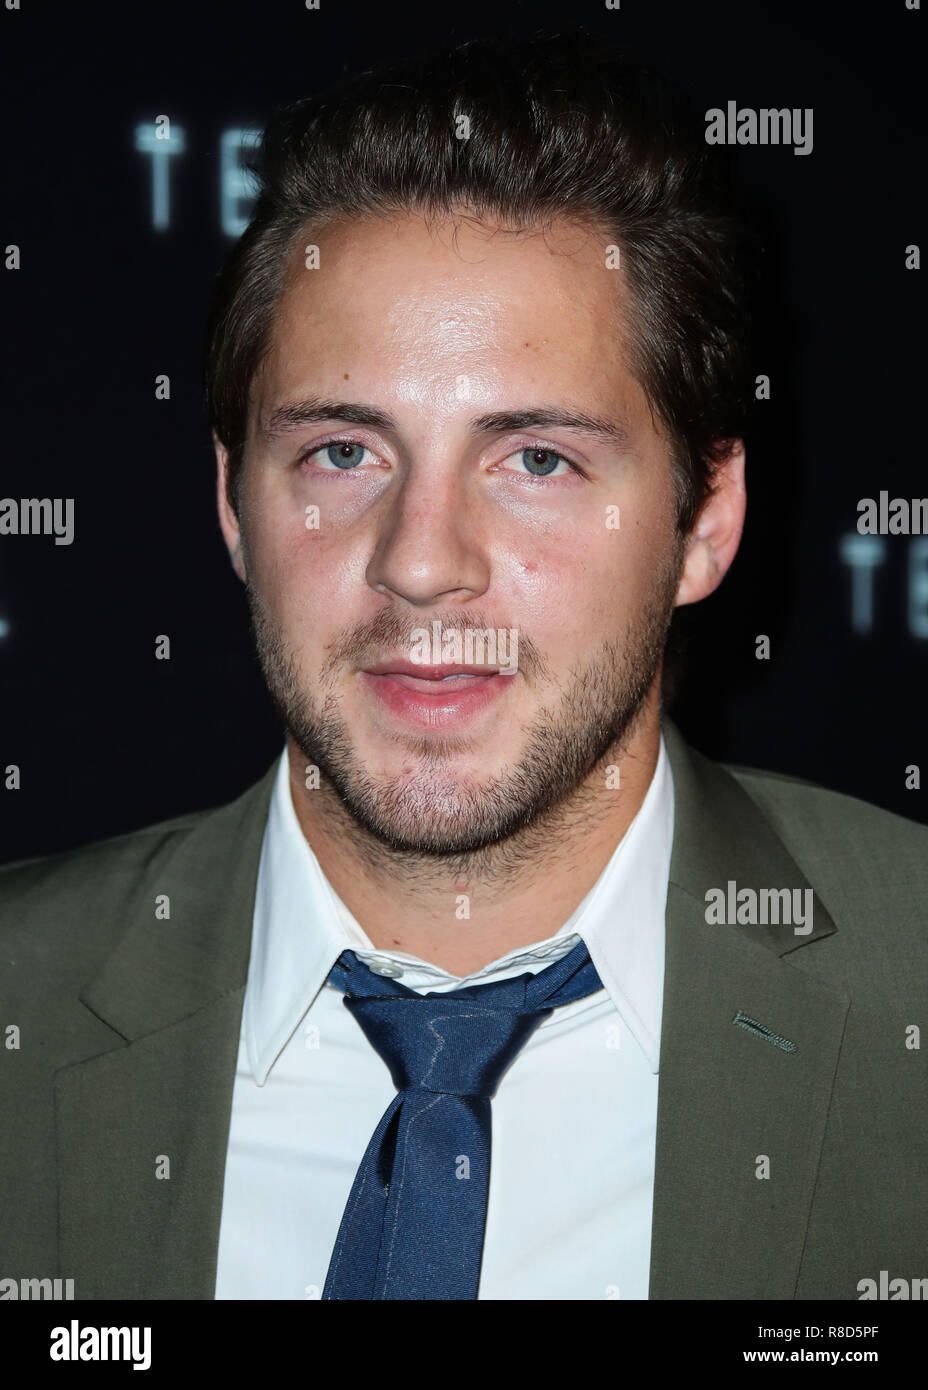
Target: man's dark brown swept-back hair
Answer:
[[559, 127]]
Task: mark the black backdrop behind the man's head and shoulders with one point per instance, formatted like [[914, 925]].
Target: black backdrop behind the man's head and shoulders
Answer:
[[110, 739]]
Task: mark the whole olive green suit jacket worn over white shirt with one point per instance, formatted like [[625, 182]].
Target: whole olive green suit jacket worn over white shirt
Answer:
[[793, 1145]]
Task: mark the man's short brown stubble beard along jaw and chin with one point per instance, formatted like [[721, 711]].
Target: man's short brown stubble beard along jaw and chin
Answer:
[[434, 814]]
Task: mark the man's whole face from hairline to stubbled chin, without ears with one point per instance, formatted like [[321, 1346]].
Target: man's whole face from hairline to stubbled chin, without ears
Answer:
[[552, 537]]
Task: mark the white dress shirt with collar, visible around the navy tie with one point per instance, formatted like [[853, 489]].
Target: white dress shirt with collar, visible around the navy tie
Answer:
[[573, 1121]]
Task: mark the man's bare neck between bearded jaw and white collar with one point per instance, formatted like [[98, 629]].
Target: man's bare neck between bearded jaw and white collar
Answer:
[[465, 911]]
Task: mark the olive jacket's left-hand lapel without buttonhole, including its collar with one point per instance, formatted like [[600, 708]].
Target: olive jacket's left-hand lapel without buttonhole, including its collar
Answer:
[[142, 1131]]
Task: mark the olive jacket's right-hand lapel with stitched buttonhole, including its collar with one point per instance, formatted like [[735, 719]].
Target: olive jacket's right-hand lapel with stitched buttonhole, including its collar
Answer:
[[730, 1099]]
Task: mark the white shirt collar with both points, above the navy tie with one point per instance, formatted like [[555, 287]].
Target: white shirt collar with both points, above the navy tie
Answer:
[[302, 928]]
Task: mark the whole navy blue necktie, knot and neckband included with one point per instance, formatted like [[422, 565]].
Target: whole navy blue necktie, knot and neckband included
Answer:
[[413, 1227]]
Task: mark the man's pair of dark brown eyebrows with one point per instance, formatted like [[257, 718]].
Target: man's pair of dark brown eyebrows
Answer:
[[297, 414]]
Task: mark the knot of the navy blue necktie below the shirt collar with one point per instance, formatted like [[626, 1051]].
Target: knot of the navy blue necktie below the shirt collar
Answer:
[[448, 1045]]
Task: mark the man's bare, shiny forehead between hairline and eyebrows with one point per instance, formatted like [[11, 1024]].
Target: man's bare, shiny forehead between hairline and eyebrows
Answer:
[[370, 323]]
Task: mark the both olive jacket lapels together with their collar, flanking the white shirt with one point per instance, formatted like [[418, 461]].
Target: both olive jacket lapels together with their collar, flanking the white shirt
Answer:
[[173, 990]]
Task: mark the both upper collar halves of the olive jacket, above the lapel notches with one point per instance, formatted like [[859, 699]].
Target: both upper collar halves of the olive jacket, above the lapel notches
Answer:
[[165, 971]]
